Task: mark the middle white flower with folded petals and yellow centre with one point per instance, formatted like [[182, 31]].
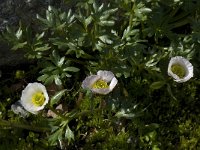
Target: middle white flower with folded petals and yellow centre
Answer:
[[99, 83]]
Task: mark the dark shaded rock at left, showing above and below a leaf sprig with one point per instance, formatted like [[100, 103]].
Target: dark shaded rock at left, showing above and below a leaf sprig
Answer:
[[11, 13]]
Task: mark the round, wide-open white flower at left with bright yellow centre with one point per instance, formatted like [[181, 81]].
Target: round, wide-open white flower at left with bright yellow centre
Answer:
[[34, 97]]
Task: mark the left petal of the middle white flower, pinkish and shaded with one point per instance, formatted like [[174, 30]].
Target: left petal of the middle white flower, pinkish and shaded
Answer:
[[89, 81]]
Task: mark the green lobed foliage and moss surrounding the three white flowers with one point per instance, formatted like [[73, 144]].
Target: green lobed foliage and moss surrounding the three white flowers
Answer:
[[134, 39]]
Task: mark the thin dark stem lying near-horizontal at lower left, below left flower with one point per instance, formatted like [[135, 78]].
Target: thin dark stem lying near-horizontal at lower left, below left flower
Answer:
[[23, 126]]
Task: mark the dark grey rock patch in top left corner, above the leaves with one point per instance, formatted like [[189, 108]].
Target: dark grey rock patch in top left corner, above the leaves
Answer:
[[12, 11]]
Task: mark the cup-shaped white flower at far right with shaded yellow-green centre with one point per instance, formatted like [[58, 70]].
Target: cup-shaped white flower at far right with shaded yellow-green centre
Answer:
[[180, 69]]
